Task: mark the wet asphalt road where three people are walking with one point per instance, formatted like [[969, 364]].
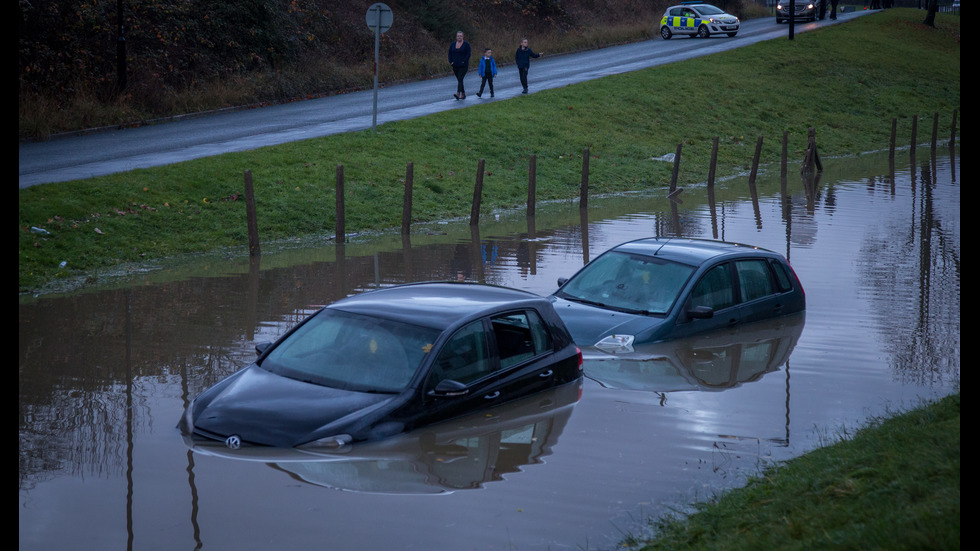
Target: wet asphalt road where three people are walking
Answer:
[[97, 153]]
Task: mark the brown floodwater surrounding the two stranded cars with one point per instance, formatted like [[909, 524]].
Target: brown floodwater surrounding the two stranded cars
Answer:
[[105, 374]]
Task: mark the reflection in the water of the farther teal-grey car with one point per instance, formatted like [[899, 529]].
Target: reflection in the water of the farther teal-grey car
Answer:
[[717, 360]]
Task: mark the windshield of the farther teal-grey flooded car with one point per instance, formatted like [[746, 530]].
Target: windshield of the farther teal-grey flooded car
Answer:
[[629, 282]]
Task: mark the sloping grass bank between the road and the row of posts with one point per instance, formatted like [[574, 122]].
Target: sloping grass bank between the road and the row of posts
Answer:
[[856, 78]]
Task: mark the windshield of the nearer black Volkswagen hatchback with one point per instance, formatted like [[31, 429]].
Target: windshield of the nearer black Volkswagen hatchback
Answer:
[[352, 352]]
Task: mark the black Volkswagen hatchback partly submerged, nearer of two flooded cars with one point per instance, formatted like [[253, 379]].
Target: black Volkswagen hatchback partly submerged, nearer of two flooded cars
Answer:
[[386, 361]]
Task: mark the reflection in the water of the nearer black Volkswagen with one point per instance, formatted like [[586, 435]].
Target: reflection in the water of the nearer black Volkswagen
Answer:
[[460, 454]]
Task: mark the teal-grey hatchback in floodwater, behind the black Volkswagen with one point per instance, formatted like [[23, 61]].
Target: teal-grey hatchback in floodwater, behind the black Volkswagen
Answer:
[[652, 289]]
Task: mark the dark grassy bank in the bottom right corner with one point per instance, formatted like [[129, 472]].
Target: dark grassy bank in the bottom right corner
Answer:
[[894, 485]]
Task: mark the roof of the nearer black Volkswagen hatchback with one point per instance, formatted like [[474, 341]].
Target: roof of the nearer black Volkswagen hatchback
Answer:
[[438, 304]]
